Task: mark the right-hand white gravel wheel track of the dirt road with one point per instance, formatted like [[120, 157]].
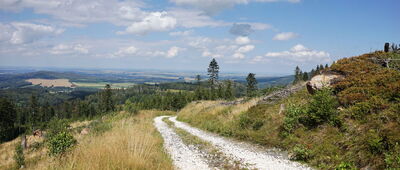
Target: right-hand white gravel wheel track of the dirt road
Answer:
[[256, 157]]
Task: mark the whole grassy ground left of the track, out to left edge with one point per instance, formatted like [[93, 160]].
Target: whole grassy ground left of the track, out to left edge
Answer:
[[116, 141]]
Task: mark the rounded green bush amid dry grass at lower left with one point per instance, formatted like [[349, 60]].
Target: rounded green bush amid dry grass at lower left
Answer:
[[60, 143]]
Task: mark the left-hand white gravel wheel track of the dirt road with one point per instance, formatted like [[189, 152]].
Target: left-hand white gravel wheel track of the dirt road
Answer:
[[183, 157]]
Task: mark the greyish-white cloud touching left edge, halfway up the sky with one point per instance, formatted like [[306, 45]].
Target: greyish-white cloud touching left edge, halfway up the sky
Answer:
[[21, 32]]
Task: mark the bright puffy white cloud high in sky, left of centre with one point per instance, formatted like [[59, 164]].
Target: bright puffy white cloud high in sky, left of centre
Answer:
[[155, 21]]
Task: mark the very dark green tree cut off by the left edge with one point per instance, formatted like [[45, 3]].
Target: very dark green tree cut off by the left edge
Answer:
[[7, 119]]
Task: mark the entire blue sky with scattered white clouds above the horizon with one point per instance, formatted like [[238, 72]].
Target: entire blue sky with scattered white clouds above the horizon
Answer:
[[259, 36]]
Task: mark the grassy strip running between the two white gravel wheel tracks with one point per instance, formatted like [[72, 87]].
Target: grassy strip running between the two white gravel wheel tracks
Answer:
[[215, 158]]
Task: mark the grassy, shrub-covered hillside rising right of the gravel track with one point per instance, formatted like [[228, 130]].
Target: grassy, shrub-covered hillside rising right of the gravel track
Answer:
[[355, 124]]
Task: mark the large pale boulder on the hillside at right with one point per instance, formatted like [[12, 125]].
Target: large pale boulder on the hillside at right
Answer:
[[323, 80]]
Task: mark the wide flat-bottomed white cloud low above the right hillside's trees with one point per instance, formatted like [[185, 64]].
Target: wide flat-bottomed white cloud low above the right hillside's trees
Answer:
[[299, 53]]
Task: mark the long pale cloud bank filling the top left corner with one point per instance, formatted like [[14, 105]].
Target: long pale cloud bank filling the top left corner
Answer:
[[81, 11]]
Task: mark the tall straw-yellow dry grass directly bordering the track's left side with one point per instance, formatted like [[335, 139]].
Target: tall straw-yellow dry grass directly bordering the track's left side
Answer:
[[133, 143]]
